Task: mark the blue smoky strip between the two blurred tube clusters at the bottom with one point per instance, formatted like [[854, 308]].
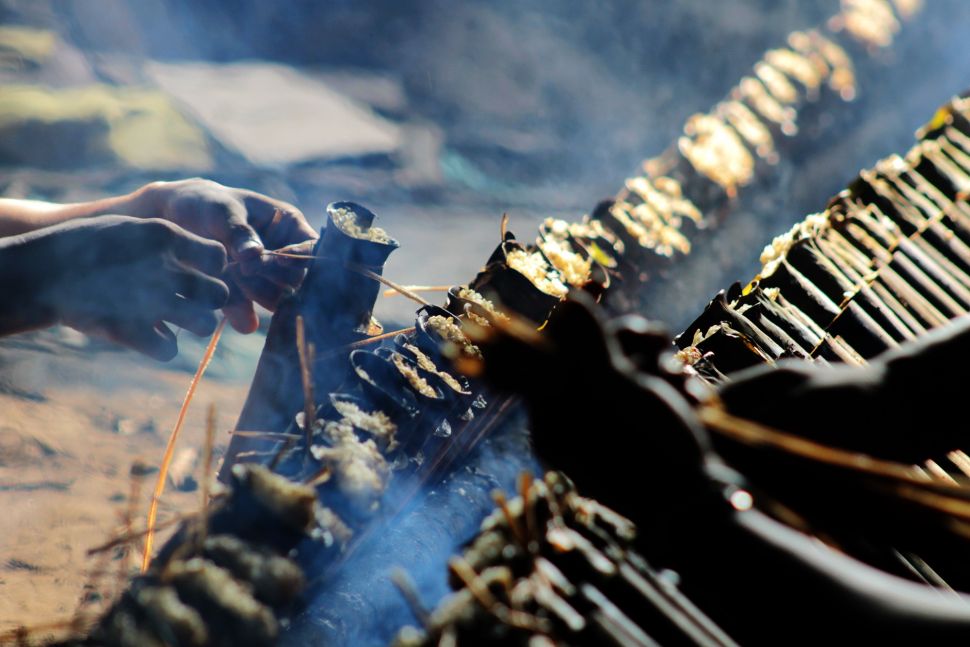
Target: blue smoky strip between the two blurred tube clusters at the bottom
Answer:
[[358, 604]]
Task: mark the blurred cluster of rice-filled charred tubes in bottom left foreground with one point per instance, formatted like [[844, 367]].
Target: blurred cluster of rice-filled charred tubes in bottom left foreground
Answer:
[[227, 577]]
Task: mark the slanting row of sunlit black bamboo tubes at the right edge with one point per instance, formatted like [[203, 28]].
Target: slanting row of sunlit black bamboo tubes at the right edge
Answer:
[[887, 261]]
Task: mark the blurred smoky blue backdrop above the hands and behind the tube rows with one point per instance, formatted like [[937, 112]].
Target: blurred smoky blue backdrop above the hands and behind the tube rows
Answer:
[[438, 115]]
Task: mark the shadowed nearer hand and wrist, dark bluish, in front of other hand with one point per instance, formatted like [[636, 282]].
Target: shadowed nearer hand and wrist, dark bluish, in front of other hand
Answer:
[[117, 277]]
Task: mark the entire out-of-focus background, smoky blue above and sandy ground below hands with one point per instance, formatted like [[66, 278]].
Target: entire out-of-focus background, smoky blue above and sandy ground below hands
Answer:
[[439, 116]]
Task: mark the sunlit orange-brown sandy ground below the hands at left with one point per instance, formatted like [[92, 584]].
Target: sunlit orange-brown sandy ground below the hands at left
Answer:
[[66, 453]]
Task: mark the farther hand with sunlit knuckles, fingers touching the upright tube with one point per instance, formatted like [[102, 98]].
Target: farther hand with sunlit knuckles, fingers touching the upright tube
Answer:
[[246, 223]]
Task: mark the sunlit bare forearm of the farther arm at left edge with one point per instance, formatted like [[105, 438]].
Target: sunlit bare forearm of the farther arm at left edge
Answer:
[[23, 216]]
